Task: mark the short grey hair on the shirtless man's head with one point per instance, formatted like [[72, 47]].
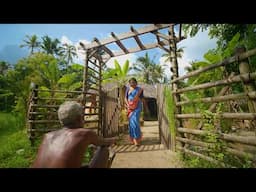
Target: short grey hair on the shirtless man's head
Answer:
[[69, 112]]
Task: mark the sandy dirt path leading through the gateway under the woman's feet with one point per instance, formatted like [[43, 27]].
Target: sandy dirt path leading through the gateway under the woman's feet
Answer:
[[150, 154]]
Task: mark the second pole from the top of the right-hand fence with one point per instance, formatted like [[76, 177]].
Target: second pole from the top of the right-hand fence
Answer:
[[235, 79]]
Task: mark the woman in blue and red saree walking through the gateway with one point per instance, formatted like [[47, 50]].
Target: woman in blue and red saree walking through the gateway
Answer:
[[133, 97]]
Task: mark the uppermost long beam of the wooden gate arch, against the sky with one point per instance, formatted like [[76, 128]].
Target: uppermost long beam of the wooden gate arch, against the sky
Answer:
[[126, 35]]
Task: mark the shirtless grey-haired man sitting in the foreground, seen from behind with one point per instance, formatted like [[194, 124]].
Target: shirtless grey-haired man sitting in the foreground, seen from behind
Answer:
[[65, 148]]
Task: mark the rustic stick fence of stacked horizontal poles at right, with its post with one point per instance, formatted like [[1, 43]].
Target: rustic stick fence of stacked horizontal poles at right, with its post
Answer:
[[191, 135]]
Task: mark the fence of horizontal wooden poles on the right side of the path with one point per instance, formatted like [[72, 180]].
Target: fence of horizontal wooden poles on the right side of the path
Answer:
[[189, 139]]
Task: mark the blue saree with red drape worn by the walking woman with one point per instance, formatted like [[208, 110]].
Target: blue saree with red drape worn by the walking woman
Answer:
[[134, 114]]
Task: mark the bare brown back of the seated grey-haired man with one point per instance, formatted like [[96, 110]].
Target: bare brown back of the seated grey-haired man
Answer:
[[63, 148]]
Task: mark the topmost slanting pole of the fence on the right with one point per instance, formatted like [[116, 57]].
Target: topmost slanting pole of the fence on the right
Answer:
[[213, 66]]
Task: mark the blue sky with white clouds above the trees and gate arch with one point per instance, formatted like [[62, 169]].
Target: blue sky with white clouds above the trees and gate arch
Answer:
[[12, 35]]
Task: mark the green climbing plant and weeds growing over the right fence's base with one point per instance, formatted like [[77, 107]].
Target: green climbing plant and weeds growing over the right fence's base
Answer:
[[217, 148]]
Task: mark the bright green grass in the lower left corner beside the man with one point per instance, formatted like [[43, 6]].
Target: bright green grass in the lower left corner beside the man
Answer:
[[15, 150]]
